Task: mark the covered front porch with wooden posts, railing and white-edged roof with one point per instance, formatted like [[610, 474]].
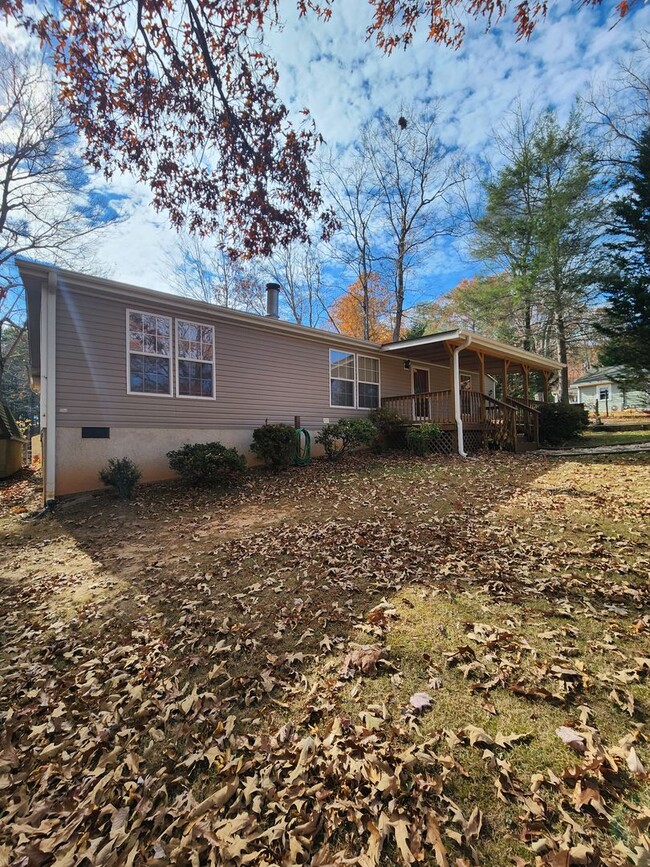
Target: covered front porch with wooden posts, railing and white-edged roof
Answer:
[[481, 392]]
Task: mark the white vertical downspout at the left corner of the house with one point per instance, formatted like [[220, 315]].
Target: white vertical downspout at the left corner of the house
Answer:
[[48, 384]]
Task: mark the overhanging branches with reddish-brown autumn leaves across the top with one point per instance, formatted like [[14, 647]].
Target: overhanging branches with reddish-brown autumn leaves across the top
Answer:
[[183, 94]]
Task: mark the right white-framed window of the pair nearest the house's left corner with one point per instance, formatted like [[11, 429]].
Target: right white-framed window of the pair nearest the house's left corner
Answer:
[[194, 359]]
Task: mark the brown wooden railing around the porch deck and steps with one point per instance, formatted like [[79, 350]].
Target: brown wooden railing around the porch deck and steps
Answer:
[[503, 421]]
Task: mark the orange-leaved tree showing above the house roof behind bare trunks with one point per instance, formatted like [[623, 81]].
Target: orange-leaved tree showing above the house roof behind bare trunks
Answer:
[[347, 311]]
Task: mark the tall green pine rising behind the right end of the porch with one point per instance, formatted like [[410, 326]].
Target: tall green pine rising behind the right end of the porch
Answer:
[[543, 223]]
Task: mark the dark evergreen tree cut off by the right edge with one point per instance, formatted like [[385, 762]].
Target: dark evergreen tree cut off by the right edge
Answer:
[[626, 322]]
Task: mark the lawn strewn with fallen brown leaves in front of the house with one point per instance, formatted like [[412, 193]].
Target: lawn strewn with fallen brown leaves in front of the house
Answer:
[[361, 664]]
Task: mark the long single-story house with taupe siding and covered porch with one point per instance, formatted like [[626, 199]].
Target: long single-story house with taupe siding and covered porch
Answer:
[[124, 371]]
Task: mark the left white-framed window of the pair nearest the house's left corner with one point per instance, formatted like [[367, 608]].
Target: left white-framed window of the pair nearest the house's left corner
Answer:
[[149, 355]]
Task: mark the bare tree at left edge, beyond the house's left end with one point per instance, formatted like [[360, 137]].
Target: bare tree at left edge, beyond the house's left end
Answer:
[[46, 205]]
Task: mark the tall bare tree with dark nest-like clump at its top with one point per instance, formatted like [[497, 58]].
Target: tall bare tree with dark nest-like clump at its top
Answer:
[[417, 179]]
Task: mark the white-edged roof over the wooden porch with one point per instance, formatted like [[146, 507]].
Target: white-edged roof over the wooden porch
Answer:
[[435, 349]]
